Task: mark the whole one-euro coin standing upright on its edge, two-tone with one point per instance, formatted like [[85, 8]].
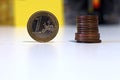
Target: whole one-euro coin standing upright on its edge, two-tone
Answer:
[[42, 26]]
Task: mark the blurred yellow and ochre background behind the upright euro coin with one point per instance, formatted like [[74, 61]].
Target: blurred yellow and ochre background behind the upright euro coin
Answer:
[[17, 12]]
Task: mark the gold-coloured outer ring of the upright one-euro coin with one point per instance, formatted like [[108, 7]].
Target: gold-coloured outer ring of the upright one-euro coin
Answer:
[[38, 14]]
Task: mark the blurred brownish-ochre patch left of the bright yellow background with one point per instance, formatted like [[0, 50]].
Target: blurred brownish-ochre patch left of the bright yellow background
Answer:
[[6, 12]]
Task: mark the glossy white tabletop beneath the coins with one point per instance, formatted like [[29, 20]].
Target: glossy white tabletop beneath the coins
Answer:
[[22, 58]]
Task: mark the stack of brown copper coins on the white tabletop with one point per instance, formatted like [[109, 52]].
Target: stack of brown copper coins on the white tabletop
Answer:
[[87, 29]]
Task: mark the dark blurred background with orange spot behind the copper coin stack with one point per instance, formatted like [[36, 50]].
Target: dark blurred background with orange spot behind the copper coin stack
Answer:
[[107, 10]]
